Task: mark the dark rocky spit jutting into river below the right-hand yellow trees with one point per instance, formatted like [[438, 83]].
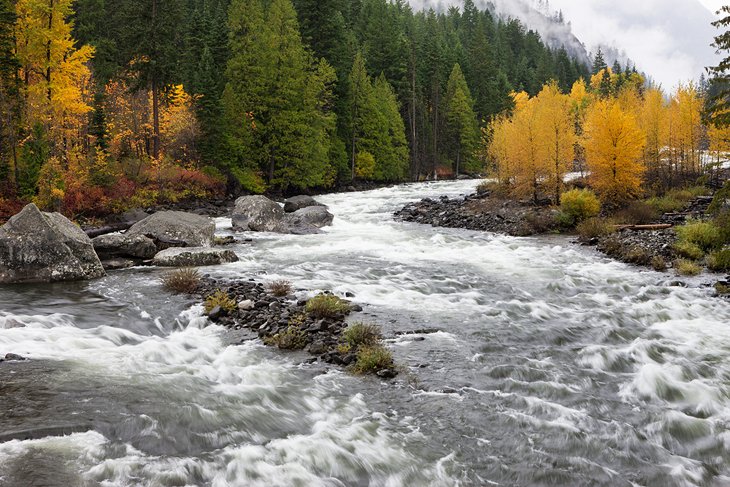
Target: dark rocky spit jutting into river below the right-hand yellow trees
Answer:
[[480, 212]]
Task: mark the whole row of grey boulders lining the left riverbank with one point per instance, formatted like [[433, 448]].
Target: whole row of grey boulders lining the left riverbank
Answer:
[[45, 247]]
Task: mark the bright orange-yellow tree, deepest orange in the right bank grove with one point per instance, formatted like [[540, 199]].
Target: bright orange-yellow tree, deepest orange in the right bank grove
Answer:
[[614, 143]]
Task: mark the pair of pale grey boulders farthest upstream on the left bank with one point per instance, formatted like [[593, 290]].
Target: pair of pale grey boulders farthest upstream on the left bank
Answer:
[[301, 215]]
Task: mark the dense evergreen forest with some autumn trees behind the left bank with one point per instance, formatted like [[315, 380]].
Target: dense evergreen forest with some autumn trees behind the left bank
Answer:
[[107, 104]]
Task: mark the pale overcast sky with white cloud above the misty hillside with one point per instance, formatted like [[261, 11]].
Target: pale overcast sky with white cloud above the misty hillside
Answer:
[[668, 39]]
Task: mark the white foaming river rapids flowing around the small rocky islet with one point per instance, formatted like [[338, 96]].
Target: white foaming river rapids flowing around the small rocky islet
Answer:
[[550, 366]]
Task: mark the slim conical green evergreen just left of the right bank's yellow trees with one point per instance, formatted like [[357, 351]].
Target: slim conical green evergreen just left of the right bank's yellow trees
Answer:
[[462, 129]]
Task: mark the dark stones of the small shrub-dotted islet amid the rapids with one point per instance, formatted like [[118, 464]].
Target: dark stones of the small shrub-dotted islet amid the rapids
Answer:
[[270, 317]]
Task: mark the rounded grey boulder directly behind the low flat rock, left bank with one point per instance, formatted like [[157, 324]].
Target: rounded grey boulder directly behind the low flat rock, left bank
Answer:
[[176, 229]]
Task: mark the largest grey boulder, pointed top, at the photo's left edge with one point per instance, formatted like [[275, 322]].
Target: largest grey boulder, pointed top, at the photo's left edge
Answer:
[[45, 247]]
